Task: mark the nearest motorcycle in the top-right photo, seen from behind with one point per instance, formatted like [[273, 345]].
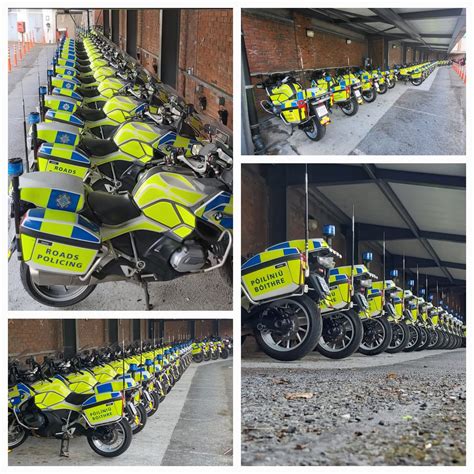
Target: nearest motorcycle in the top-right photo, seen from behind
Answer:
[[306, 109]]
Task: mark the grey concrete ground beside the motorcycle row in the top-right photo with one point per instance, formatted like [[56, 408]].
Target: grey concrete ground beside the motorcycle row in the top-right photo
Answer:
[[407, 120]]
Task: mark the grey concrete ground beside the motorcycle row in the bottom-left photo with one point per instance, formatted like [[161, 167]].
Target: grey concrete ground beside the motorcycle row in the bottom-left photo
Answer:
[[193, 426]]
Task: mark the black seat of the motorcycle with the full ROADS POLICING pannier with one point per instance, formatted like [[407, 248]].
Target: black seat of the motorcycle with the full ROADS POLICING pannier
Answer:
[[112, 209]]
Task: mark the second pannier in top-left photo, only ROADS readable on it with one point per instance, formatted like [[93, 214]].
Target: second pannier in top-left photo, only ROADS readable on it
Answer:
[[63, 159]]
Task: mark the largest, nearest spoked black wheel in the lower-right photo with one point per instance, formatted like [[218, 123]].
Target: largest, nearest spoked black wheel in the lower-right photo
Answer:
[[302, 335]]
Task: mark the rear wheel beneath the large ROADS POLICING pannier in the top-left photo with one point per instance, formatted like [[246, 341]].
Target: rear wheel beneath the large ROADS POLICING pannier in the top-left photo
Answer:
[[44, 295]]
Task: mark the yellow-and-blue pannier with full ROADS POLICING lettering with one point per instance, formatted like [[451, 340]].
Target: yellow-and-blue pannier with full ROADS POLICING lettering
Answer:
[[59, 241]]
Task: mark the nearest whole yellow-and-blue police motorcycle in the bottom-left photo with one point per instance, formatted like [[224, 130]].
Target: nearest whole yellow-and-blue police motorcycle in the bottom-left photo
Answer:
[[45, 407]]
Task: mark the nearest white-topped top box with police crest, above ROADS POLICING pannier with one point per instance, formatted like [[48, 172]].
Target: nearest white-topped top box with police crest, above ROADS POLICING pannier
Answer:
[[52, 190]]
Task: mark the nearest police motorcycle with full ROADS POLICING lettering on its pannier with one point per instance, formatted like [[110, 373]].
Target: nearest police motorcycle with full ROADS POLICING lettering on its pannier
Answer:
[[70, 239]]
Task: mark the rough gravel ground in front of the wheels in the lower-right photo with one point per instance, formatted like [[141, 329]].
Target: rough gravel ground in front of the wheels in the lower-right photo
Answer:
[[410, 413]]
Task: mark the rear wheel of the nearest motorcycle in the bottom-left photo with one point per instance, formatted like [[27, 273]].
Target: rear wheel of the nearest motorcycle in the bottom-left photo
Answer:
[[111, 440]]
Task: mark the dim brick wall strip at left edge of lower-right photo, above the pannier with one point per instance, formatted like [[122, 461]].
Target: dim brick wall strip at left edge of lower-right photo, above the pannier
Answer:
[[254, 211]]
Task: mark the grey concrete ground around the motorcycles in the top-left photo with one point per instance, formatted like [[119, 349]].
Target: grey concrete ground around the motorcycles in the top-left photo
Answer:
[[194, 292]]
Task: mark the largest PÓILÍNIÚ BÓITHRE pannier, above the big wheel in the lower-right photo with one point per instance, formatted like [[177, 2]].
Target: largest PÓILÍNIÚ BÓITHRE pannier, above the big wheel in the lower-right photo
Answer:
[[273, 274]]
